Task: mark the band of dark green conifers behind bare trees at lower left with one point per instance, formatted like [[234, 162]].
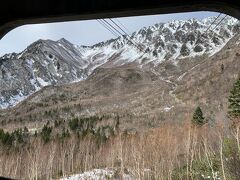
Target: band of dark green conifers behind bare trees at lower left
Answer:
[[61, 130]]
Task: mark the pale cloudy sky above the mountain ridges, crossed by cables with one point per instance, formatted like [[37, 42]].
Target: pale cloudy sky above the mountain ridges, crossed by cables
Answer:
[[83, 32]]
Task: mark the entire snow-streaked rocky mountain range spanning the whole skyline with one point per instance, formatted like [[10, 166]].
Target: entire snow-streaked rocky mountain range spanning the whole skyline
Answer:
[[48, 62]]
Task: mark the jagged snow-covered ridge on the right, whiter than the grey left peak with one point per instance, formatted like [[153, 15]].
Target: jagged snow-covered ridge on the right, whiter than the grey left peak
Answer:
[[167, 41]]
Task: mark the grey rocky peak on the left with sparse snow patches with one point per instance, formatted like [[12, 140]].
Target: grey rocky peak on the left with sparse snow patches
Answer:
[[42, 63]]
